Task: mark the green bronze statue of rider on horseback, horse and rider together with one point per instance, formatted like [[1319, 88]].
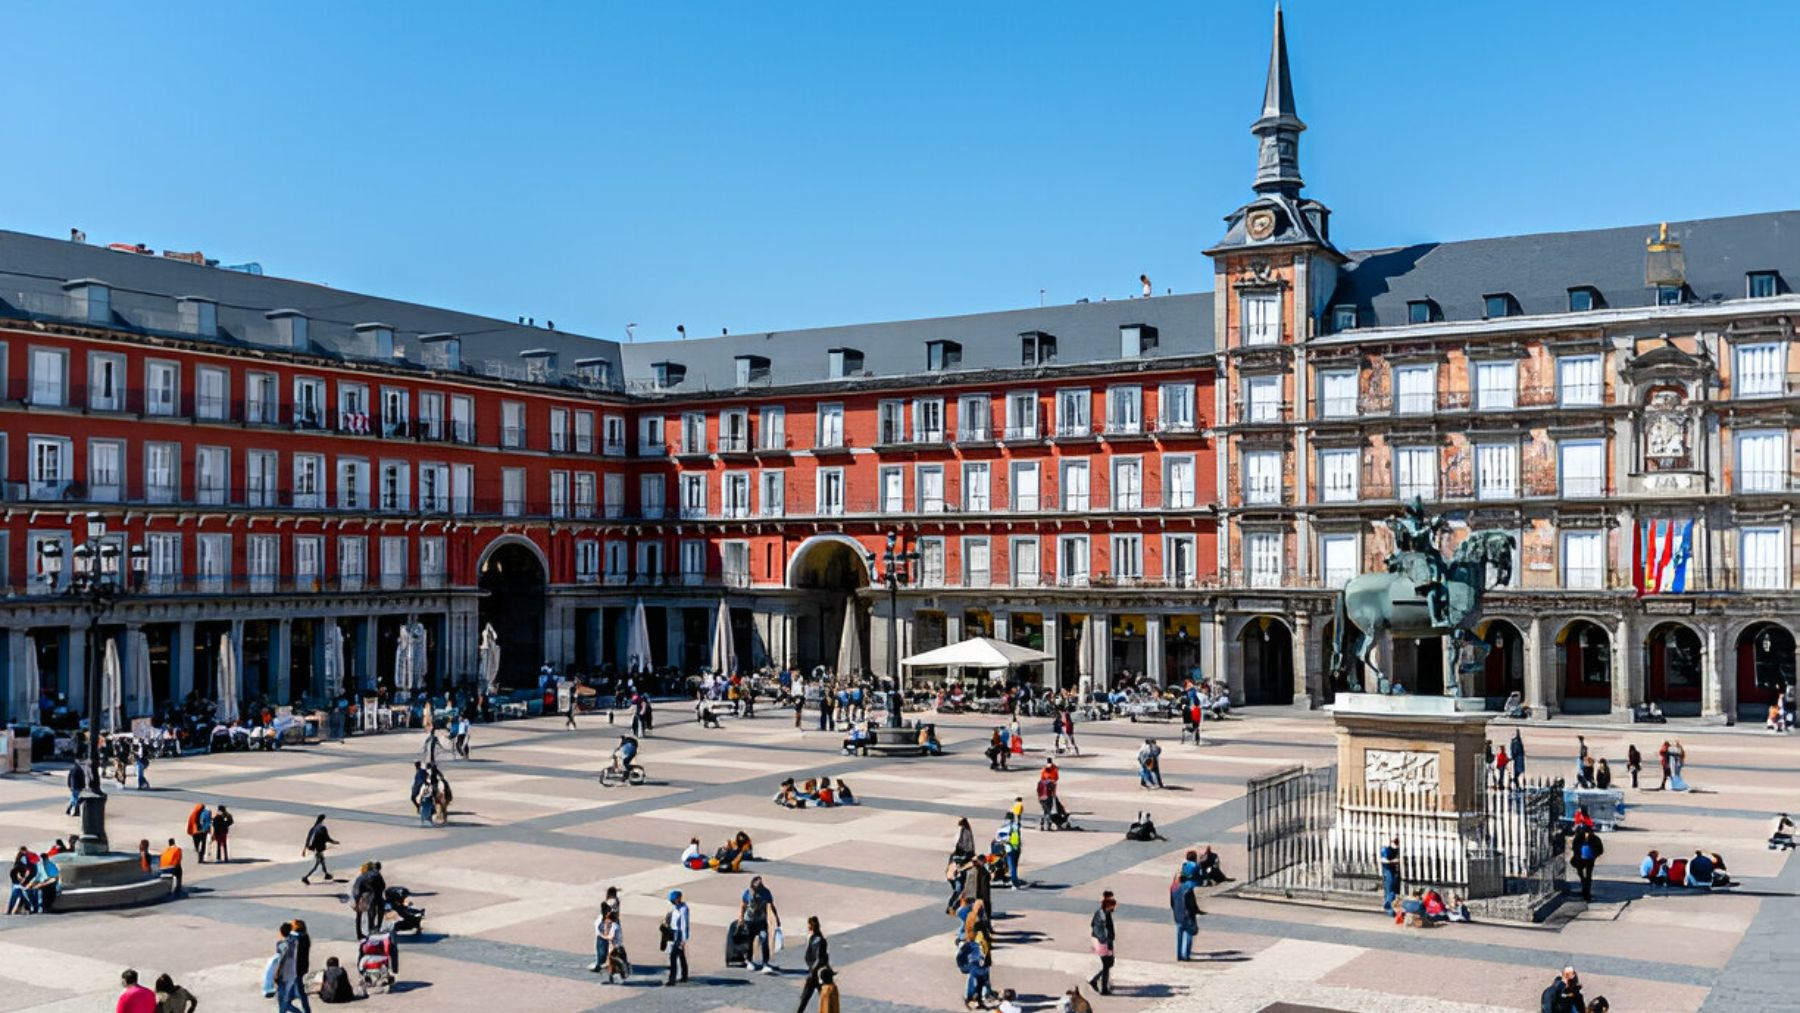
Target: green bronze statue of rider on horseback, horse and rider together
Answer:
[[1421, 595]]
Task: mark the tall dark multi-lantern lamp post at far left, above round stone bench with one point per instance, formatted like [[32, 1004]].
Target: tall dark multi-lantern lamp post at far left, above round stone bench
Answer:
[[96, 580]]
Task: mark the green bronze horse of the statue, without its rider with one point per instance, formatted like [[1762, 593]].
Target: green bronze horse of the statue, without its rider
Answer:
[[1392, 602]]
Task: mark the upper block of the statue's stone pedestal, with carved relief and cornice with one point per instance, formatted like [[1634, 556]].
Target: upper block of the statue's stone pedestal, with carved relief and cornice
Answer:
[[1414, 744]]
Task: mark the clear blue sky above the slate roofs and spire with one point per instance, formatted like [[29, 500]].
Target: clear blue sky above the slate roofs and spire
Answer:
[[760, 166]]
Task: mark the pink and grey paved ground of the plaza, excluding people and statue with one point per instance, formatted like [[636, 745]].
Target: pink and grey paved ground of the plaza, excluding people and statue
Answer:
[[516, 881]]
